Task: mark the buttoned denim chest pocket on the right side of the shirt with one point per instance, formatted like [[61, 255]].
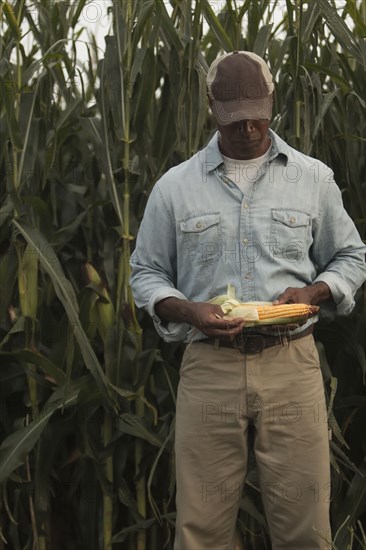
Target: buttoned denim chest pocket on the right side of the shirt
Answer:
[[290, 234]]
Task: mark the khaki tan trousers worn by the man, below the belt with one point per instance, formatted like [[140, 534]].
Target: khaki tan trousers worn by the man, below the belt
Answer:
[[280, 391]]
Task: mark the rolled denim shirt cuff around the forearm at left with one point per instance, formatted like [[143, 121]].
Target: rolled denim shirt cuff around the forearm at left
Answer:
[[169, 331]]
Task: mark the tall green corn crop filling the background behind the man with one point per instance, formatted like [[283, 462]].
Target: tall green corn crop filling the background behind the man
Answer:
[[87, 387]]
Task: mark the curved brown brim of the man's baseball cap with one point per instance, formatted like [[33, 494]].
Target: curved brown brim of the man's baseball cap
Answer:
[[227, 112]]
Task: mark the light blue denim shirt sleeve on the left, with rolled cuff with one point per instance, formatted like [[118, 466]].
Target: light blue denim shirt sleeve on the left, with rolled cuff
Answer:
[[153, 264]]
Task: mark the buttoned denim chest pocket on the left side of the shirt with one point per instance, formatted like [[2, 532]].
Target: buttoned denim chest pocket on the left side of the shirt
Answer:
[[201, 237]]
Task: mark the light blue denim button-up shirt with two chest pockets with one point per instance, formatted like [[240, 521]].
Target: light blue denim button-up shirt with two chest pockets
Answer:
[[199, 233]]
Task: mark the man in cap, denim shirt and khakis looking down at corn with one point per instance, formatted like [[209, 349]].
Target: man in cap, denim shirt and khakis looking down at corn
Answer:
[[250, 211]]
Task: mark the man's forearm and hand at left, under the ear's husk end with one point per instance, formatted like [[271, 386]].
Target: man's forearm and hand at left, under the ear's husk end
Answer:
[[206, 317]]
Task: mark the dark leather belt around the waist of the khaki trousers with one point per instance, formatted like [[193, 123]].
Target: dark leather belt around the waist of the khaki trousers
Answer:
[[250, 344]]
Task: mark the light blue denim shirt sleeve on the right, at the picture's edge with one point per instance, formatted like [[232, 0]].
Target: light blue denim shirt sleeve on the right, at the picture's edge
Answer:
[[338, 250]]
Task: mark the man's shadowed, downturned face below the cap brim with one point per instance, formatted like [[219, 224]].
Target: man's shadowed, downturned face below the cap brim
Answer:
[[243, 140]]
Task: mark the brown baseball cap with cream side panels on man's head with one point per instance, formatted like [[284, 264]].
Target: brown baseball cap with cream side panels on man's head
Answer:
[[240, 86]]
